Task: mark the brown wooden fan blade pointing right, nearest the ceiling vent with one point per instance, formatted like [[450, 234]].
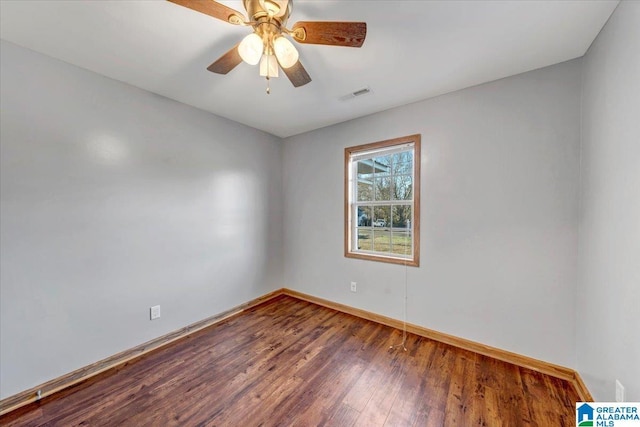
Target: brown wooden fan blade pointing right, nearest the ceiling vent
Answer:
[[350, 34]]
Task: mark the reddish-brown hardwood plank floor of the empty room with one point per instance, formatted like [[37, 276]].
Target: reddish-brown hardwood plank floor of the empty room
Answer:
[[290, 362]]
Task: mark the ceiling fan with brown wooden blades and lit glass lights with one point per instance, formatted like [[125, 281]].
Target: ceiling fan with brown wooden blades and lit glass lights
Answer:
[[267, 43]]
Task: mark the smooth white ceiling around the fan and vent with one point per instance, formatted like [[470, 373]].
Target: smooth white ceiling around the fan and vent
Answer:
[[414, 50]]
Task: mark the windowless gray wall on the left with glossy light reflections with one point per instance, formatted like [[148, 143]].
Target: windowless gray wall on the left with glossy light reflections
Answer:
[[113, 200]]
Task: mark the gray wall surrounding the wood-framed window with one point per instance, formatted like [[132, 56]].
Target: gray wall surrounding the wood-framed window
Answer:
[[500, 173]]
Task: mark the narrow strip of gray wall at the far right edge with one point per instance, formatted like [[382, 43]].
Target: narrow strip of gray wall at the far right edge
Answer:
[[608, 316]]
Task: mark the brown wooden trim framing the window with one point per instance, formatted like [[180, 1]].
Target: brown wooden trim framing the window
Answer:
[[416, 140]]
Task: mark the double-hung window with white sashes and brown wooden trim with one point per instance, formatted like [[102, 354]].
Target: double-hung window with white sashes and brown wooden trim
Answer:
[[382, 201]]
